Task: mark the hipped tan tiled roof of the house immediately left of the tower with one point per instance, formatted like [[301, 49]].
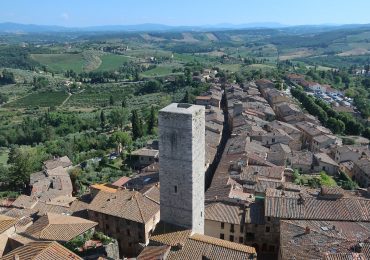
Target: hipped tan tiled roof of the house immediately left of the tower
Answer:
[[125, 204]]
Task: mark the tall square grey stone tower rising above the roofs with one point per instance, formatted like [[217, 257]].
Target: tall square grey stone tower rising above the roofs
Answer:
[[182, 165]]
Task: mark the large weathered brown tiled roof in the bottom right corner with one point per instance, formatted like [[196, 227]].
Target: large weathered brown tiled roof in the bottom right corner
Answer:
[[302, 239]]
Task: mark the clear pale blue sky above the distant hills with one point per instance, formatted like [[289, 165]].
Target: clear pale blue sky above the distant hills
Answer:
[[188, 12]]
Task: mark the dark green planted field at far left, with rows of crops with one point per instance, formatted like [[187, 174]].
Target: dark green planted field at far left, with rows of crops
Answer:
[[43, 99]]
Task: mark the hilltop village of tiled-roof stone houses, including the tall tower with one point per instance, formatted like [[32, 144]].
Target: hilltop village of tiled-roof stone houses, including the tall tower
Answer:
[[244, 173]]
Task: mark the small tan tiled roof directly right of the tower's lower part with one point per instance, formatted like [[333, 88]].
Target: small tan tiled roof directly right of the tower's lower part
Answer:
[[224, 212]]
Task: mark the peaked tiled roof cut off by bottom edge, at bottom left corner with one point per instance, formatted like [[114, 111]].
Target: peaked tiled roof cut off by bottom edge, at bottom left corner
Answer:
[[41, 251]]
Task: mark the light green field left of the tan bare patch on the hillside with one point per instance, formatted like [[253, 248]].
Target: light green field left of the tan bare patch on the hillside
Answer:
[[61, 62]]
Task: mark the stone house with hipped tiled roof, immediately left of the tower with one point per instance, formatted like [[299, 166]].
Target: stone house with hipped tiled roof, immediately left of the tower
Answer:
[[128, 216]]
